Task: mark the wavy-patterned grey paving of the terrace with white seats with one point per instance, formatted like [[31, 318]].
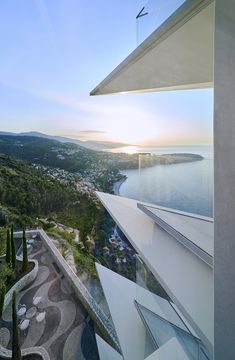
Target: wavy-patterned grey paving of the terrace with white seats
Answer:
[[61, 333]]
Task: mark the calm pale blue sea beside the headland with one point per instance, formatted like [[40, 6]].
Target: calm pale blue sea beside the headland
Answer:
[[187, 187]]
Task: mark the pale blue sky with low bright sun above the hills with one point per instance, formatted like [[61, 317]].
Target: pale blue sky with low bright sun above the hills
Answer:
[[54, 52]]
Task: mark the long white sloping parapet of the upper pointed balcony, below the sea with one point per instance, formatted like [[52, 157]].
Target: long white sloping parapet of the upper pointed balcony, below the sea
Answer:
[[187, 279]]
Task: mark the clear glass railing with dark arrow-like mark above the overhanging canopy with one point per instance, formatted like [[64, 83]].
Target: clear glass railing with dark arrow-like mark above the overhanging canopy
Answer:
[[152, 15]]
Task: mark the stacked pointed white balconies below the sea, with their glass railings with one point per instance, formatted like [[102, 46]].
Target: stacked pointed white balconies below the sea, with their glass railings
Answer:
[[166, 241]]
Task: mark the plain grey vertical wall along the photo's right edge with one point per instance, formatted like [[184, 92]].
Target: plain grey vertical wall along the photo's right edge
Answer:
[[224, 143]]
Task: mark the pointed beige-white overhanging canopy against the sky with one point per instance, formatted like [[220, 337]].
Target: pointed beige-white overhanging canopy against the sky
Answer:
[[177, 55]]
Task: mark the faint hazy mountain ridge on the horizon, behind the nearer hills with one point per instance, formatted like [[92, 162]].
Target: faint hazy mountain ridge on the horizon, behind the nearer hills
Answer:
[[93, 145]]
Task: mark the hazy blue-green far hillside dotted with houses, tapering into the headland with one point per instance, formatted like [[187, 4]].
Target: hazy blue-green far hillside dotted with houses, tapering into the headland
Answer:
[[76, 158]]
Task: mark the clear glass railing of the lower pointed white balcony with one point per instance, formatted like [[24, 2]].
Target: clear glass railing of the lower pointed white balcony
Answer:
[[161, 317]]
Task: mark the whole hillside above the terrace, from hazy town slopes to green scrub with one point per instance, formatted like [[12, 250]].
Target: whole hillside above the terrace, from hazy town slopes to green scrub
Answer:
[[51, 181]]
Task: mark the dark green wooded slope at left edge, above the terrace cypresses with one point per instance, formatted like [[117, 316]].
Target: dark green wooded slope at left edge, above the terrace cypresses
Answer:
[[26, 192]]
